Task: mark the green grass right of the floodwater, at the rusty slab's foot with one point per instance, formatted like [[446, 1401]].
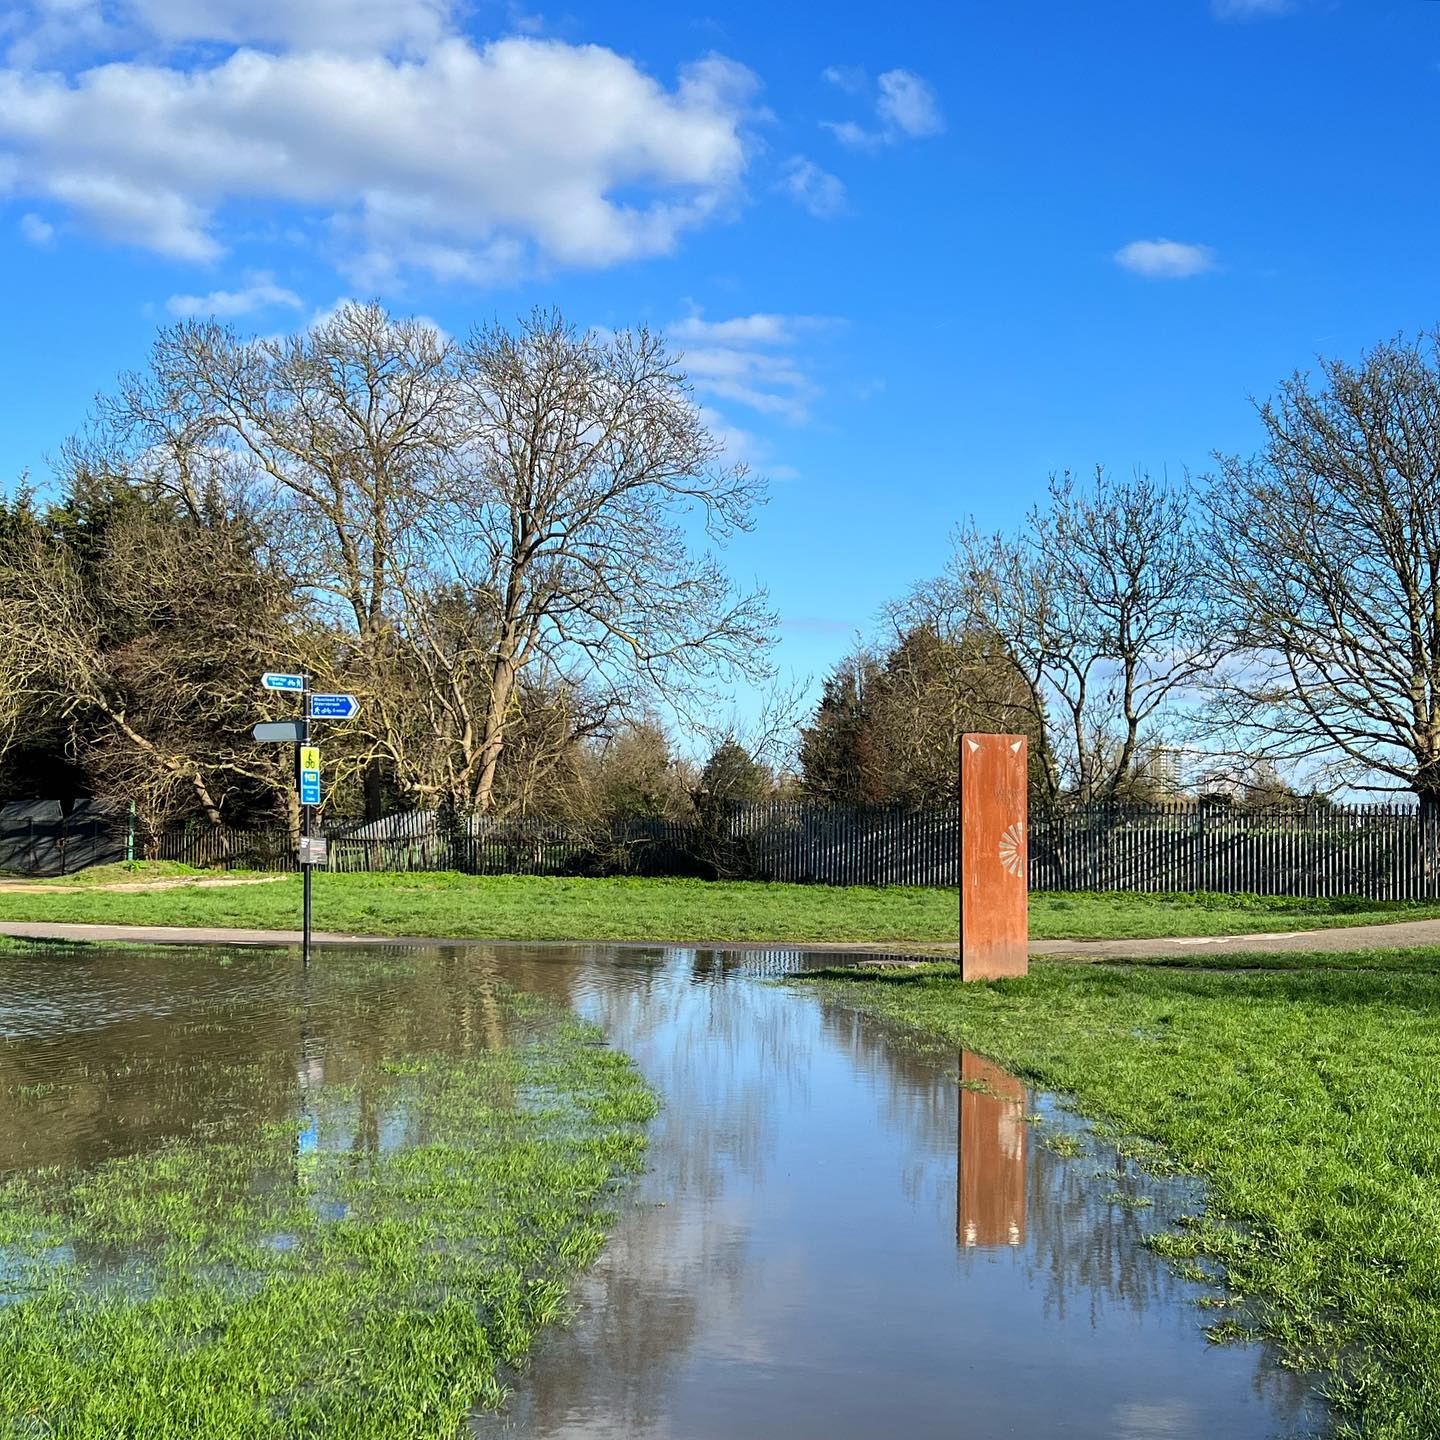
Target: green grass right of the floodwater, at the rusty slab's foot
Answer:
[[1307, 1094]]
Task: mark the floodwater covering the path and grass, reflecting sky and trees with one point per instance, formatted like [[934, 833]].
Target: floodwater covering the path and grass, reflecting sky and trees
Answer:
[[834, 1236]]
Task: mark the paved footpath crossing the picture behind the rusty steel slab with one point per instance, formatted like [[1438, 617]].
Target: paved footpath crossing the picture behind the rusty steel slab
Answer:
[[1349, 938]]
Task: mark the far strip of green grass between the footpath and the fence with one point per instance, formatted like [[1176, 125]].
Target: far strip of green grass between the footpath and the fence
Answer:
[[518, 908]]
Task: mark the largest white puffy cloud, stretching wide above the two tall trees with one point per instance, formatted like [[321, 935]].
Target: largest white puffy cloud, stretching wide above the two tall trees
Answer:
[[466, 163]]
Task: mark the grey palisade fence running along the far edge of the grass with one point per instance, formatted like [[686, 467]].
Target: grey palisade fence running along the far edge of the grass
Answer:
[[1386, 853]]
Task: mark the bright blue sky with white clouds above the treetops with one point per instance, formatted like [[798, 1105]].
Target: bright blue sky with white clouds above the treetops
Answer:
[[919, 258]]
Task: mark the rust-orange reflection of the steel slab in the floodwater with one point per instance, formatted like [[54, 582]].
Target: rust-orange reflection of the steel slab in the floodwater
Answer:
[[994, 1138]]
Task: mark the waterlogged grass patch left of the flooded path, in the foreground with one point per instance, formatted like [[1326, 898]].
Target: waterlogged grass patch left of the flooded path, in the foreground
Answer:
[[248, 1287]]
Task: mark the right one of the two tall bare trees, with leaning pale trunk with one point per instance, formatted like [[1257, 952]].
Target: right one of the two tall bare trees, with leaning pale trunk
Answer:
[[567, 518]]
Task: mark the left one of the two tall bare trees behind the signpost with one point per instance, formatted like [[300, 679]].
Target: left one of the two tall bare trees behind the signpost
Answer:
[[345, 426]]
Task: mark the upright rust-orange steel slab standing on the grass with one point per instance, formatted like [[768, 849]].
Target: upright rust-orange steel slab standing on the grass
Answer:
[[994, 858]]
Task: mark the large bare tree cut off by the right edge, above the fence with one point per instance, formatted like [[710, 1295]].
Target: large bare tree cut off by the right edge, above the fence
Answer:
[[1327, 555]]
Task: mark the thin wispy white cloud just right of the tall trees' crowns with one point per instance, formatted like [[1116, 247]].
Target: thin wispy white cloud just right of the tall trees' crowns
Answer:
[[750, 361]]
